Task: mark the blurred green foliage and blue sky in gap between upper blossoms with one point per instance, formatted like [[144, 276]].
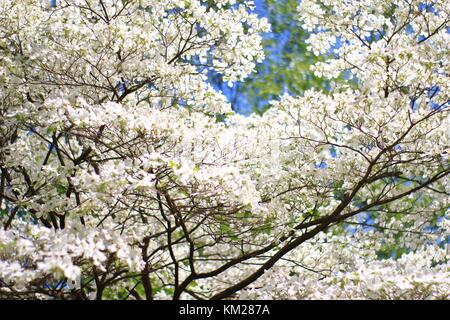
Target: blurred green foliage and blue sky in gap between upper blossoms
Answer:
[[287, 63]]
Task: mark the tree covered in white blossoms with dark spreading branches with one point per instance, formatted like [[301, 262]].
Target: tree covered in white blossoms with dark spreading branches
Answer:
[[125, 175]]
